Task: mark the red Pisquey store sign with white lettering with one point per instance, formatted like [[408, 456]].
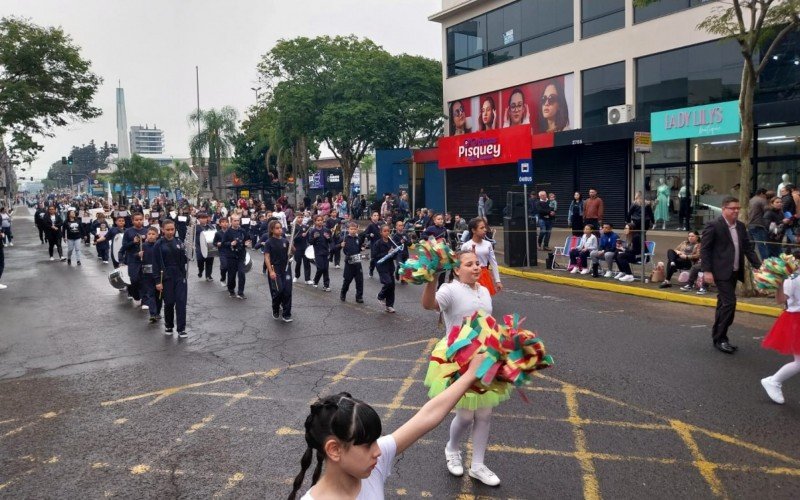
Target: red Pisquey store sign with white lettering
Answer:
[[490, 147]]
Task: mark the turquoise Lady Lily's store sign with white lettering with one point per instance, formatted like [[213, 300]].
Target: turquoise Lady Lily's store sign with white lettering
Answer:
[[698, 121]]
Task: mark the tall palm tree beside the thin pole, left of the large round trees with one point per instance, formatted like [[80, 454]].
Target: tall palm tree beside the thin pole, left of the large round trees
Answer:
[[217, 129]]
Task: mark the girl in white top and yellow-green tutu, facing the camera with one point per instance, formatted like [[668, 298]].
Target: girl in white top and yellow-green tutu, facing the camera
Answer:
[[457, 300]]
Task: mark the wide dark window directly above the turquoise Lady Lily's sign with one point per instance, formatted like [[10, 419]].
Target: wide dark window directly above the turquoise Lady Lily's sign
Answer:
[[691, 76]]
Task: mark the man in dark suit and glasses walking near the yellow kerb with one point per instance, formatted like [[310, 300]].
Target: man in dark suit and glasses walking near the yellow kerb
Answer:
[[725, 245]]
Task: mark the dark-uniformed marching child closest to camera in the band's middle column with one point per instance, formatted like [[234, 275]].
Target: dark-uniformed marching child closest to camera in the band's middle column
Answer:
[[276, 258]]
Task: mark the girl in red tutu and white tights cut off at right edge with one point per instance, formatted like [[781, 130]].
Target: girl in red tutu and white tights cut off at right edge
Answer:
[[784, 336]]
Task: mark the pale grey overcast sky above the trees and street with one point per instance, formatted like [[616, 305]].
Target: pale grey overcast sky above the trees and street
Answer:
[[153, 46]]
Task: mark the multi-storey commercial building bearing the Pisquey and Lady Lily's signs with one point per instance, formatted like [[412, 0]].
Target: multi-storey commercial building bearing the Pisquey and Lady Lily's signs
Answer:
[[579, 77]]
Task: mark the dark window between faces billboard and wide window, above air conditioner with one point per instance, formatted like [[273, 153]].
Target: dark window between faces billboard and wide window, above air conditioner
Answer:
[[602, 87]]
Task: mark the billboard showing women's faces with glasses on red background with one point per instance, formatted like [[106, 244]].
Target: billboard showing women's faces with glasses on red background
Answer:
[[546, 105]]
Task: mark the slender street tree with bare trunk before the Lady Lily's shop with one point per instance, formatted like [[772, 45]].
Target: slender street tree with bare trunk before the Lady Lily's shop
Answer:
[[758, 26]]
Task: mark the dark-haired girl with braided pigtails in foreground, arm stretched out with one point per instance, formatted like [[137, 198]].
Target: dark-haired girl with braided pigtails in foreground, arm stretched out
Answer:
[[346, 435]]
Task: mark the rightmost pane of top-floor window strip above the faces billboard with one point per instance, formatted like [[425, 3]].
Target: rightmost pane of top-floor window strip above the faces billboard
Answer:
[[547, 23]]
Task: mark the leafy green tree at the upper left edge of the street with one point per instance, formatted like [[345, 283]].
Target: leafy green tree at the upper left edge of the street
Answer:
[[44, 83]]
